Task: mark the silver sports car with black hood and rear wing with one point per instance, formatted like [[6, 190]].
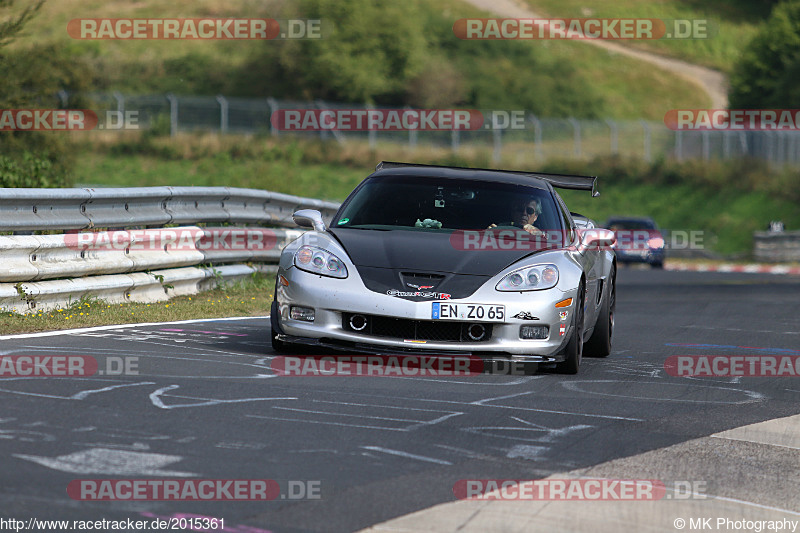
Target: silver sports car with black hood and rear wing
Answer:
[[444, 260]]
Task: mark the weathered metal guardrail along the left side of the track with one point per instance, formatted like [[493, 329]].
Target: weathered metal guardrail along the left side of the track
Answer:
[[48, 271]]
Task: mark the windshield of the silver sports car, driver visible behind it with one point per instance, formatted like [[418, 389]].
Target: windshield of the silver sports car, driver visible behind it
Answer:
[[446, 204]]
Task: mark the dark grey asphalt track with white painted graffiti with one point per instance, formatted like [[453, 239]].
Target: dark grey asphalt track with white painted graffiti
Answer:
[[206, 405]]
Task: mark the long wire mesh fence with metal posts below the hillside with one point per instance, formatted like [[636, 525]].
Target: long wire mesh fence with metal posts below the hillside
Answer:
[[563, 138]]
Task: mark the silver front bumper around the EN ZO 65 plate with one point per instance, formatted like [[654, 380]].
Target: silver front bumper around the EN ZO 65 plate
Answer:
[[330, 298]]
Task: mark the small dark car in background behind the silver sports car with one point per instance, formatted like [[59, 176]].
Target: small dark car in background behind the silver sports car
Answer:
[[638, 240]]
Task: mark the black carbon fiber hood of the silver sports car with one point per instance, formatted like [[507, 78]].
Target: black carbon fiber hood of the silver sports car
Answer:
[[420, 266]]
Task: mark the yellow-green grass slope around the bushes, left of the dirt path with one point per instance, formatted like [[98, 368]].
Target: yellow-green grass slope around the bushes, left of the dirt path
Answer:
[[625, 87]]
